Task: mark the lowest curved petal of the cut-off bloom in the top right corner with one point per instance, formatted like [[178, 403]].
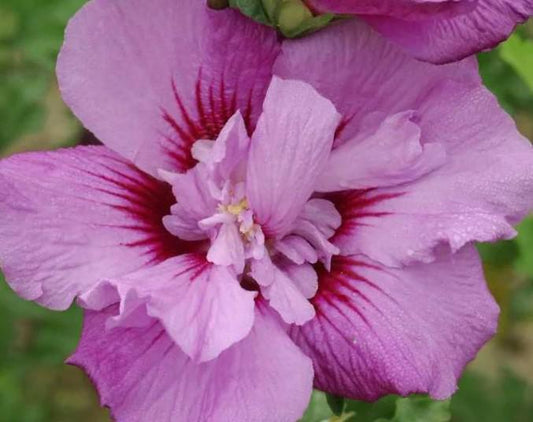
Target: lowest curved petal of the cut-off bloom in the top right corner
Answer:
[[444, 39]]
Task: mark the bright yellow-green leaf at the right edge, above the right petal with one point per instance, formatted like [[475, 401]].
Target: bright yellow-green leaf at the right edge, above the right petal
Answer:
[[518, 53]]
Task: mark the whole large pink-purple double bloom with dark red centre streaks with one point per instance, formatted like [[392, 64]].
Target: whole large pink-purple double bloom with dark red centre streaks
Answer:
[[254, 226]]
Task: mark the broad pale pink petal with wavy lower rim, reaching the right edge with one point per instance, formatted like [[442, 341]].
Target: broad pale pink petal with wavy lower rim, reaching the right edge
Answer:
[[485, 187]]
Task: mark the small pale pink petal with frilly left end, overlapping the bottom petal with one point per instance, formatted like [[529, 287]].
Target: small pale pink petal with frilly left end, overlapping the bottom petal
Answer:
[[202, 306]]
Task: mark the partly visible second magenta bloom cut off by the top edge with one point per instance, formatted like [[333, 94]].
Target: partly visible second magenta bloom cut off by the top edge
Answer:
[[438, 31]]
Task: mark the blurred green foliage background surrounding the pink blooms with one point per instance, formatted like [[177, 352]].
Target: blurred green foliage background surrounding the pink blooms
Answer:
[[35, 385]]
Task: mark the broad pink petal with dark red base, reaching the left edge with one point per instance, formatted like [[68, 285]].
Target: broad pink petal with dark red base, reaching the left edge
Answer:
[[74, 216]]
